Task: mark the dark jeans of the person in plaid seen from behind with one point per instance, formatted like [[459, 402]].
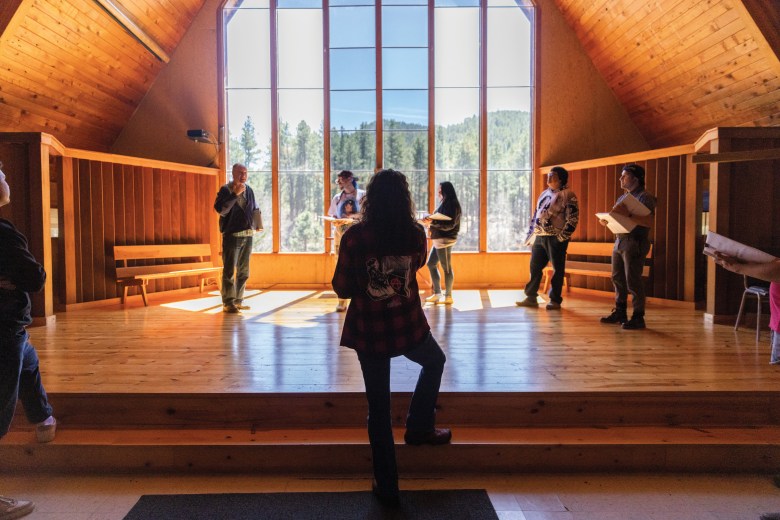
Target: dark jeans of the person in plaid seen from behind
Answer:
[[422, 409]]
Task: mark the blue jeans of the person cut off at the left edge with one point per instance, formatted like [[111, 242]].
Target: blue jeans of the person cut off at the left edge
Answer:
[[20, 378]]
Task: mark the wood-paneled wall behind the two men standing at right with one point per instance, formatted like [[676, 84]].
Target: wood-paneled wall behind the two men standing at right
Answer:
[[597, 187]]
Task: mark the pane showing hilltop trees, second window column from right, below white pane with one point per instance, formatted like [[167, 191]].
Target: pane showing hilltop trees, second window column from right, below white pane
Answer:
[[457, 129]]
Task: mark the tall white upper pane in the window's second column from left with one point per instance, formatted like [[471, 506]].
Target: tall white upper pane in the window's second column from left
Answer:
[[299, 39]]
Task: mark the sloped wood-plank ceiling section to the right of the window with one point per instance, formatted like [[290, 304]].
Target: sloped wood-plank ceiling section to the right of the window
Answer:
[[682, 67]]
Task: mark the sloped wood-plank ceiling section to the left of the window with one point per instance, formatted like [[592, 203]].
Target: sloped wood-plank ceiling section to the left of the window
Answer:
[[67, 68]]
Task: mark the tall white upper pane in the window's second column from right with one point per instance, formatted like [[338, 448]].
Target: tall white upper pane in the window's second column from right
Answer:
[[457, 47]]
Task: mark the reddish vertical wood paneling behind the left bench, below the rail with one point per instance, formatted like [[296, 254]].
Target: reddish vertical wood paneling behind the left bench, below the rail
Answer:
[[123, 204]]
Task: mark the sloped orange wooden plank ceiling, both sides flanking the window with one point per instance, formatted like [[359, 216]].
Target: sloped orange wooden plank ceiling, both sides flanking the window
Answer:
[[679, 67]]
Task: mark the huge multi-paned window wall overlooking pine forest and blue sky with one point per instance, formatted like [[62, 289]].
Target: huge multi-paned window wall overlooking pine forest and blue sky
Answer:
[[441, 90]]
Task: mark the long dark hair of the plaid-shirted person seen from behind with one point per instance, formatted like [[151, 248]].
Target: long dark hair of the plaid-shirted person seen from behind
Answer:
[[388, 211]]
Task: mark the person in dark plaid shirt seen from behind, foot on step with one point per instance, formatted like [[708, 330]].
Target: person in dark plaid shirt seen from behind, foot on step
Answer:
[[377, 265]]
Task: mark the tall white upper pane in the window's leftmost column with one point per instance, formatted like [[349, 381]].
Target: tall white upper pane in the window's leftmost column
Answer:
[[248, 48]]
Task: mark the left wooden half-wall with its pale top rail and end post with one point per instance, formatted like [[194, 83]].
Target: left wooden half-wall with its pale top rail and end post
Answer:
[[101, 200]]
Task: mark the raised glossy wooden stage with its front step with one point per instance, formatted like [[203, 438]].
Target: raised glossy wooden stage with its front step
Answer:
[[181, 386]]
